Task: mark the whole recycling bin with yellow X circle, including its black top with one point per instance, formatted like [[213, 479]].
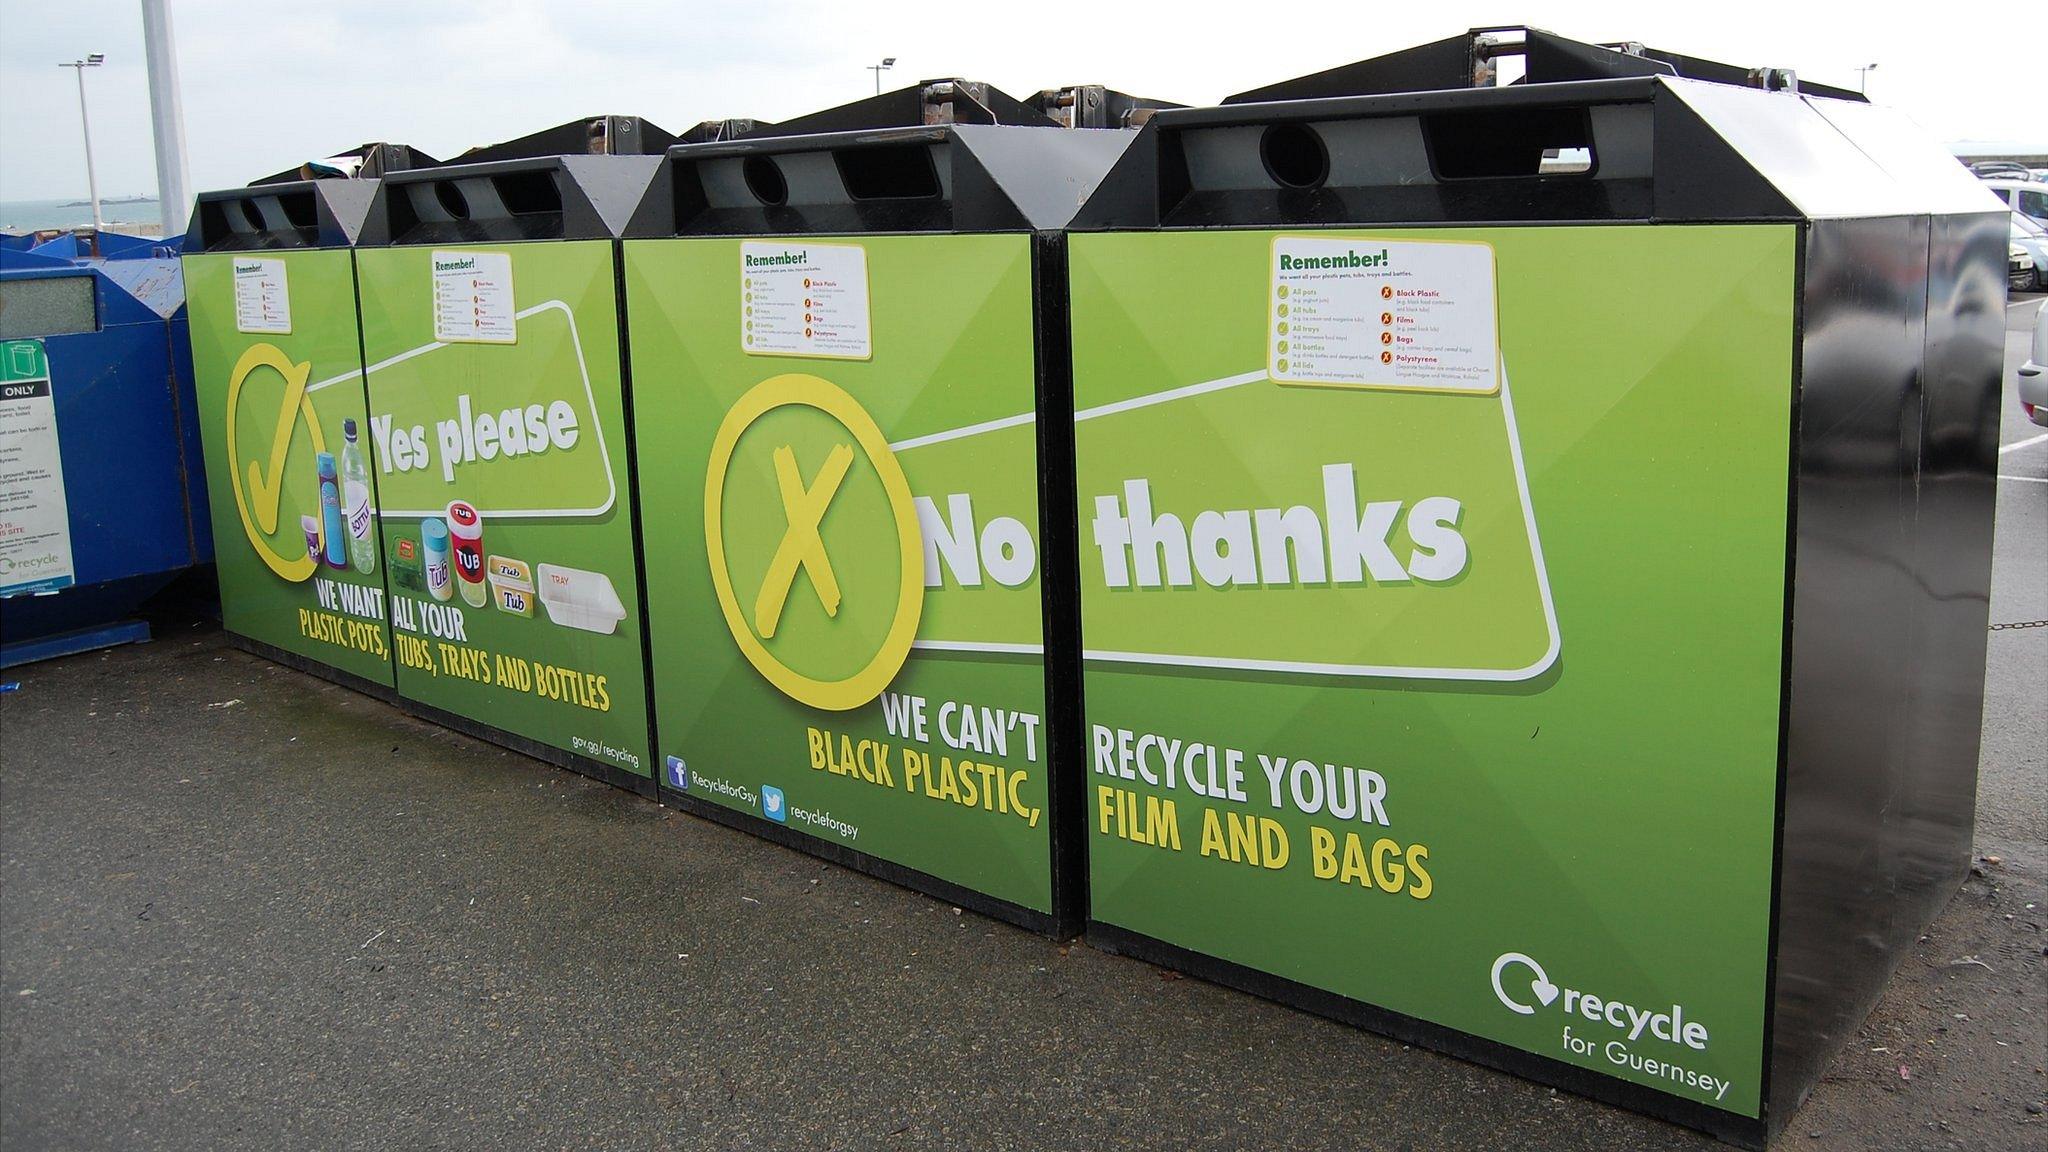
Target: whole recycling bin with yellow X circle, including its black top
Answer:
[[859, 591]]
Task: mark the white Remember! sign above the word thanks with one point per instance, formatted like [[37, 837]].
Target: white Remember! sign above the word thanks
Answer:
[[1359, 313]]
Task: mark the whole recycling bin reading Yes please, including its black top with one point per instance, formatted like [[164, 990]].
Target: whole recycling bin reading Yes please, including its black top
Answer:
[[499, 413]]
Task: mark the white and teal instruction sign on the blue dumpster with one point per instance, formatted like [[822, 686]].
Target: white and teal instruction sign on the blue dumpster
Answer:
[[36, 524]]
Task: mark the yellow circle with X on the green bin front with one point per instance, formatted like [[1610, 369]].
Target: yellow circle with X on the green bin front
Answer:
[[814, 542]]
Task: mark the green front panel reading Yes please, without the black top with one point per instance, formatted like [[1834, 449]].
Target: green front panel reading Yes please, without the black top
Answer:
[[523, 419]]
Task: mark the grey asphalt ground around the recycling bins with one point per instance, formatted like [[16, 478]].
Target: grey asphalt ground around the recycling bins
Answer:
[[247, 909]]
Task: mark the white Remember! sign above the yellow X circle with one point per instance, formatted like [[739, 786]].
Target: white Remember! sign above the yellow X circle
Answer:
[[806, 300]]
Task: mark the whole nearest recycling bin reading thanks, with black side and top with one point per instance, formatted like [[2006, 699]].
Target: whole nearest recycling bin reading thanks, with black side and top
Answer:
[[1535, 557]]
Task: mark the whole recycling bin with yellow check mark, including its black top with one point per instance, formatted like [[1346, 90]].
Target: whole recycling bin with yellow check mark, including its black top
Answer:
[[286, 429]]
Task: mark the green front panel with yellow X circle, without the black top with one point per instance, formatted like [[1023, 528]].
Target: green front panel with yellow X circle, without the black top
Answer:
[[857, 686]]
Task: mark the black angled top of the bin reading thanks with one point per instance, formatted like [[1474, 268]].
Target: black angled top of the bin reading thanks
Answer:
[[1590, 134]]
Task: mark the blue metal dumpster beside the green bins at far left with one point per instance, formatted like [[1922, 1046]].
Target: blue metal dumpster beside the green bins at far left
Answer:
[[97, 442]]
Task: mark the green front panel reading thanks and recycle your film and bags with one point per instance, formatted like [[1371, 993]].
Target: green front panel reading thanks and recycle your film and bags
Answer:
[[1502, 751]]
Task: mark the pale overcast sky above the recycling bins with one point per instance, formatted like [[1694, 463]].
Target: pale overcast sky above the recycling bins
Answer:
[[269, 85]]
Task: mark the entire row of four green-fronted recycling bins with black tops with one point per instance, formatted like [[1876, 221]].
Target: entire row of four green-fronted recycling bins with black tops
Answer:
[[1302, 542]]
